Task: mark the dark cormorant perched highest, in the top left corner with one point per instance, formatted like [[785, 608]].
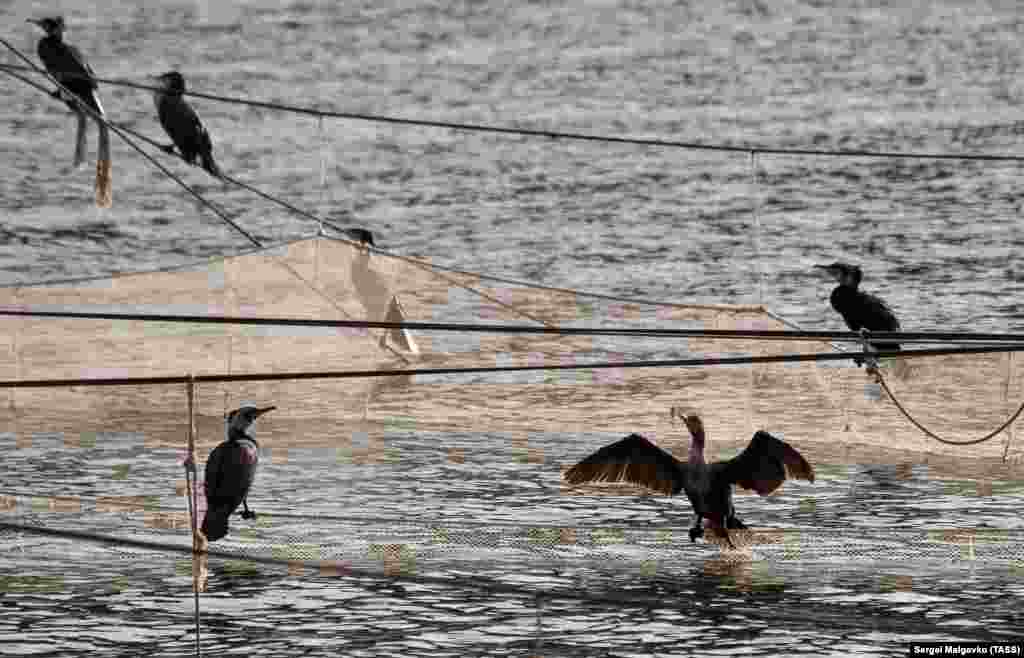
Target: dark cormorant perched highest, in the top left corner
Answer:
[[69, 68]]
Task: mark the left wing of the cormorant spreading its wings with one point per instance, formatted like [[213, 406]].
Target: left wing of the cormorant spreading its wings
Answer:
[[635, 460]]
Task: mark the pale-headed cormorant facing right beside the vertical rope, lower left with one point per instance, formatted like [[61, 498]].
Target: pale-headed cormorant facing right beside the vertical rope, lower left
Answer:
[[231, 471]]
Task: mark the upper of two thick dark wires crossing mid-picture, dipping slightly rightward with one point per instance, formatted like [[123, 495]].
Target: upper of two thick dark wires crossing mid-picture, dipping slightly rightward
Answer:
[[769, 335]]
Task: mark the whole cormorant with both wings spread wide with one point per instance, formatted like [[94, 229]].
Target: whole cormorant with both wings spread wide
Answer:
[[763, 466]]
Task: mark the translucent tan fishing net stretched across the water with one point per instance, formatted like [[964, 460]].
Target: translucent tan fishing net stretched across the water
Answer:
[[456, 478]]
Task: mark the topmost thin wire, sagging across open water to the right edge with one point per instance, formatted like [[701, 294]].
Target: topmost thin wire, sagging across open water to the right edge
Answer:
[[554, 135]]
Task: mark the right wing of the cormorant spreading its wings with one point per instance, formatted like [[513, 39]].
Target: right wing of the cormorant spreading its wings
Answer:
[[764, 465]]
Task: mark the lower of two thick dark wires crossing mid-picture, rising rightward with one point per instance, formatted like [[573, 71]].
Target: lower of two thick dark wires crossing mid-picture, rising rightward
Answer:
[[345, 375]]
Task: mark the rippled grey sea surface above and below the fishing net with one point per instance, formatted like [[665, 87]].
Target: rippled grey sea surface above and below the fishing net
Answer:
[[936, 238]]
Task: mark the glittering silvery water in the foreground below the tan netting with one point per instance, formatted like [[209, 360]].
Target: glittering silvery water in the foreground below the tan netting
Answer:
[[862, 561]]
